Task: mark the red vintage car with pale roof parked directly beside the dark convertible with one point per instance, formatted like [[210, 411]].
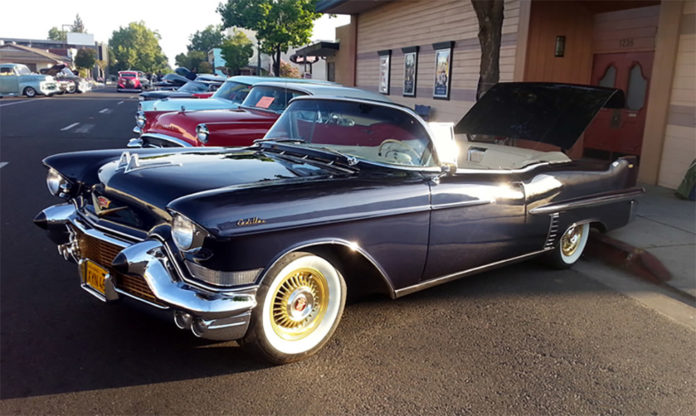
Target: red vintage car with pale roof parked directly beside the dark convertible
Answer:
[[255, 115]]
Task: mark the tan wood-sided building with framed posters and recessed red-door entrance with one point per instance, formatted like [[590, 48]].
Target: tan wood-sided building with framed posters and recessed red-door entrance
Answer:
[[426, 53]]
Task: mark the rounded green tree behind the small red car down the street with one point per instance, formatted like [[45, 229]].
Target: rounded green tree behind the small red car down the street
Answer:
[[137, 47]]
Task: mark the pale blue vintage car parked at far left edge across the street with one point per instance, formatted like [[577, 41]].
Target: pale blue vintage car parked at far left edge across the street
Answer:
[[17, 79]]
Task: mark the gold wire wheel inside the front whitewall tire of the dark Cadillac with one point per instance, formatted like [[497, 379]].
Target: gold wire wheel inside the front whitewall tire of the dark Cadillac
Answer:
[[299, 304]]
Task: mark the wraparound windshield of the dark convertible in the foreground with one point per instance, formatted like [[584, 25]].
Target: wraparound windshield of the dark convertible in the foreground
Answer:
[[371, 132]]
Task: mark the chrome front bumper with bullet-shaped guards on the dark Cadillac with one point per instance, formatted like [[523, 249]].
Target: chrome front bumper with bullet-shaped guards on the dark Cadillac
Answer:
[[220, 315]]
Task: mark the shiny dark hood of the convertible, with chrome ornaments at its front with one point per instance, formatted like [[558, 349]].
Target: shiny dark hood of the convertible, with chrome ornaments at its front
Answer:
[[154, 180]]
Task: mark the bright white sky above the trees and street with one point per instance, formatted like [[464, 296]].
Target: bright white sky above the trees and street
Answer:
[[175, 21]]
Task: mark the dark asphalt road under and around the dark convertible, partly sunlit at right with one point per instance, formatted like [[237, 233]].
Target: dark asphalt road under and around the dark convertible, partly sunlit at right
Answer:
[[520, 340]]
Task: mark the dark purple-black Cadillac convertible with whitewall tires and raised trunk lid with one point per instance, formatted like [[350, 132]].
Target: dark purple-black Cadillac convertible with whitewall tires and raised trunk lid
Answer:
[[261, 244]]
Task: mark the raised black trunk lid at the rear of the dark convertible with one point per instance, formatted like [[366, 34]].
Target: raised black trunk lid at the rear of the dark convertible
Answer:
[[550, 113]]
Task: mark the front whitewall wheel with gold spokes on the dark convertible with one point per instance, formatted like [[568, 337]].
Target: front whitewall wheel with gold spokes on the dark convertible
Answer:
[[300, 303]]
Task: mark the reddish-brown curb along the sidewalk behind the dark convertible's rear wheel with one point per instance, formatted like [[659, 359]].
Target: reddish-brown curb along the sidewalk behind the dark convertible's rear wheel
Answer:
[[632, 259]]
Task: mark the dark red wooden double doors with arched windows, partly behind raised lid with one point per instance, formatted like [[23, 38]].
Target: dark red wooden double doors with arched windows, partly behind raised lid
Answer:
[[621, 130]]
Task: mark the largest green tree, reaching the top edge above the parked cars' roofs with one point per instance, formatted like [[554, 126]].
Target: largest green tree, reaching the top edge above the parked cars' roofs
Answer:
[[279, 24]]
